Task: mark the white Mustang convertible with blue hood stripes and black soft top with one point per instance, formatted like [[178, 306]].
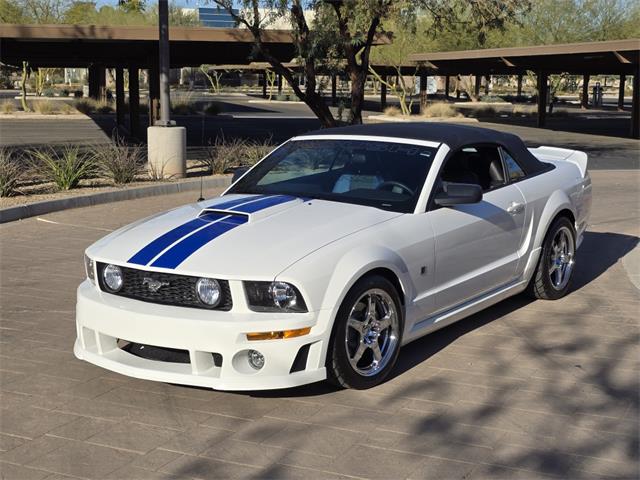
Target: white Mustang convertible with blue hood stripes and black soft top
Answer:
[[331, 253]]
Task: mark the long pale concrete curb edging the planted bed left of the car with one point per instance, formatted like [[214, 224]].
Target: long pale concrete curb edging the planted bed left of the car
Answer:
[[20, 212]]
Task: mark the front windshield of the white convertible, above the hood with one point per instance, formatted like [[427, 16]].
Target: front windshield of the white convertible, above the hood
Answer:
[[382, 174]]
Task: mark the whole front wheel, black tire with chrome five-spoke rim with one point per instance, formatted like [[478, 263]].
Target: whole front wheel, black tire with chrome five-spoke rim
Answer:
[[366, 336]]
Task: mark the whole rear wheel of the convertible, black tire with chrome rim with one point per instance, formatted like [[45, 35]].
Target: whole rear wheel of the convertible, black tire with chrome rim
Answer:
[[552, 277]]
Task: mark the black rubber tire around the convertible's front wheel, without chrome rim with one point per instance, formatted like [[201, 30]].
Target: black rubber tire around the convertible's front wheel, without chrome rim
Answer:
[[339, 368]]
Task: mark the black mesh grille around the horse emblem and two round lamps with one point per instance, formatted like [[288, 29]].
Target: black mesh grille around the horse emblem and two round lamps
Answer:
[[180, 289]]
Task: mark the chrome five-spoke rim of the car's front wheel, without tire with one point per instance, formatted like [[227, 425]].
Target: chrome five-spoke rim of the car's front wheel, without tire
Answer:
[[372, 332]]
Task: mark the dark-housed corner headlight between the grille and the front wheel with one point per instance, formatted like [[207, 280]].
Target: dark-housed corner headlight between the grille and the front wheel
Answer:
[[274, 297]]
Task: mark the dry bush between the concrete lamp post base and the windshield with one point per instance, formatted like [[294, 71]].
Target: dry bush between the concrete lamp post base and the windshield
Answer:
[[224, 154]]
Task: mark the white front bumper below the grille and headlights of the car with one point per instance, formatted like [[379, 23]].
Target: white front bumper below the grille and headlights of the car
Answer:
[[103, 319]]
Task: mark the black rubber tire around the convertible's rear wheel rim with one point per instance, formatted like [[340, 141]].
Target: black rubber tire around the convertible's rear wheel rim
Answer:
[[541, 285]]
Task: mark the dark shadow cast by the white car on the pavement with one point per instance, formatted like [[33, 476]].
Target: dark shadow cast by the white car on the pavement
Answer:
[[598, 252]]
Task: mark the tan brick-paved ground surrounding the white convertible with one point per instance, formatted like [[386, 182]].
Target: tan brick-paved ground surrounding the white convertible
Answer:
[[522, 390]]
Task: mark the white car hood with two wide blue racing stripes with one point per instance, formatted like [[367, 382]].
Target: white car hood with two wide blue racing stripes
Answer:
[[235, 236]]
